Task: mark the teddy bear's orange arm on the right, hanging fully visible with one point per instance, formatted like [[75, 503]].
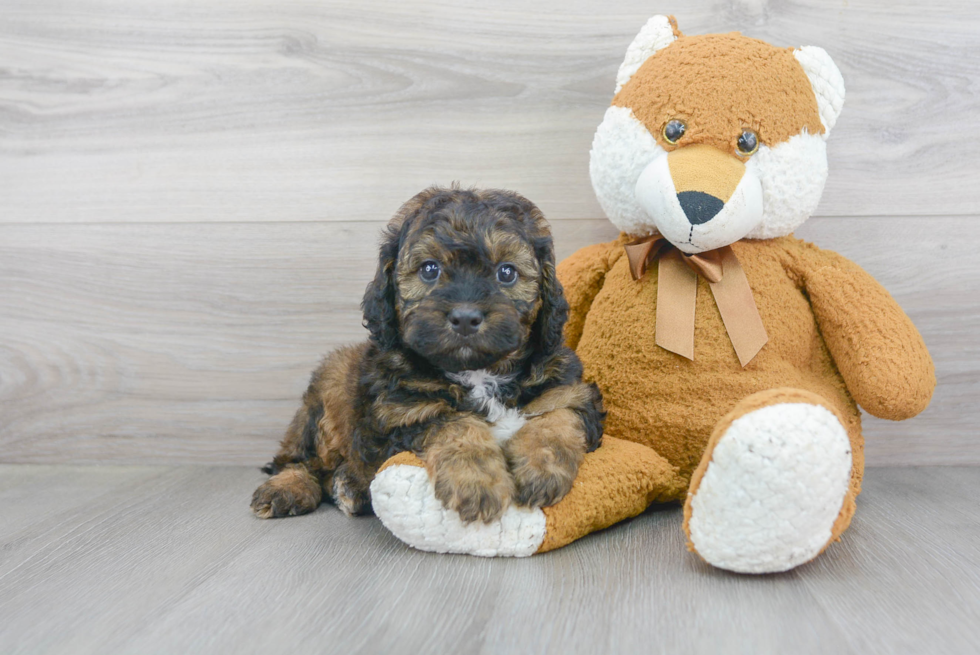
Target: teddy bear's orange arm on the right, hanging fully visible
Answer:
[[877, 349]]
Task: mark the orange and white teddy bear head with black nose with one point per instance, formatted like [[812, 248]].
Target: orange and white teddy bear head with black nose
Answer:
[[714, 138]]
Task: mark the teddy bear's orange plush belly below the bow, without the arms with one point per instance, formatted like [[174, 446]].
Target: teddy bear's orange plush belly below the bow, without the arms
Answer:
[[671, 404]]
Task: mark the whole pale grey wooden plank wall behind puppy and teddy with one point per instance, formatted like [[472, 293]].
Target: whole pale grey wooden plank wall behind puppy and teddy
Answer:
[[190, 193]]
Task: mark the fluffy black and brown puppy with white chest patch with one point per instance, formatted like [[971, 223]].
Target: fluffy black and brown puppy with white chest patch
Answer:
[[465, 367]]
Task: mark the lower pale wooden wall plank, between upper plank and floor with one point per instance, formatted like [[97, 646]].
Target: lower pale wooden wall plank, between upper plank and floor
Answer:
[[192, 343]]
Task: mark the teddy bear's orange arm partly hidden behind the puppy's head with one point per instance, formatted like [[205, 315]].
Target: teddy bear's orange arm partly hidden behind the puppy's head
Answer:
[[582, 275]]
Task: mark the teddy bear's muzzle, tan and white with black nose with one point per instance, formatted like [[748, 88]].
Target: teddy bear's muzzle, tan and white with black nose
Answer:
[[700, 198]]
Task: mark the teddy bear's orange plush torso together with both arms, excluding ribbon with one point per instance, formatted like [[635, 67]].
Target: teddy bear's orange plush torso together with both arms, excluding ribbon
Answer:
[[834, 333]]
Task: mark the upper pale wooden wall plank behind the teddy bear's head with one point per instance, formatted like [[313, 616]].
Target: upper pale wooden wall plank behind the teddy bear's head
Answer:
[[312, 110]]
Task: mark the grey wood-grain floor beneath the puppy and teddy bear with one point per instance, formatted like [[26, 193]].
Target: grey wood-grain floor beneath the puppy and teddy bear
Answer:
[[169, 560]]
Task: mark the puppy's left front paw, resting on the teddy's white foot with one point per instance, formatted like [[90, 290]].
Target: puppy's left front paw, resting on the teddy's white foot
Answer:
[[478, 490]]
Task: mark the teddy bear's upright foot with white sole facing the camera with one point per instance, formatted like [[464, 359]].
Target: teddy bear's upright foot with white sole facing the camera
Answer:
[[774, 485]]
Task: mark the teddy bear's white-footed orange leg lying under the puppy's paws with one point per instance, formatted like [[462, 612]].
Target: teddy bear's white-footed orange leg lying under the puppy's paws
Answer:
[[617, 481]]
